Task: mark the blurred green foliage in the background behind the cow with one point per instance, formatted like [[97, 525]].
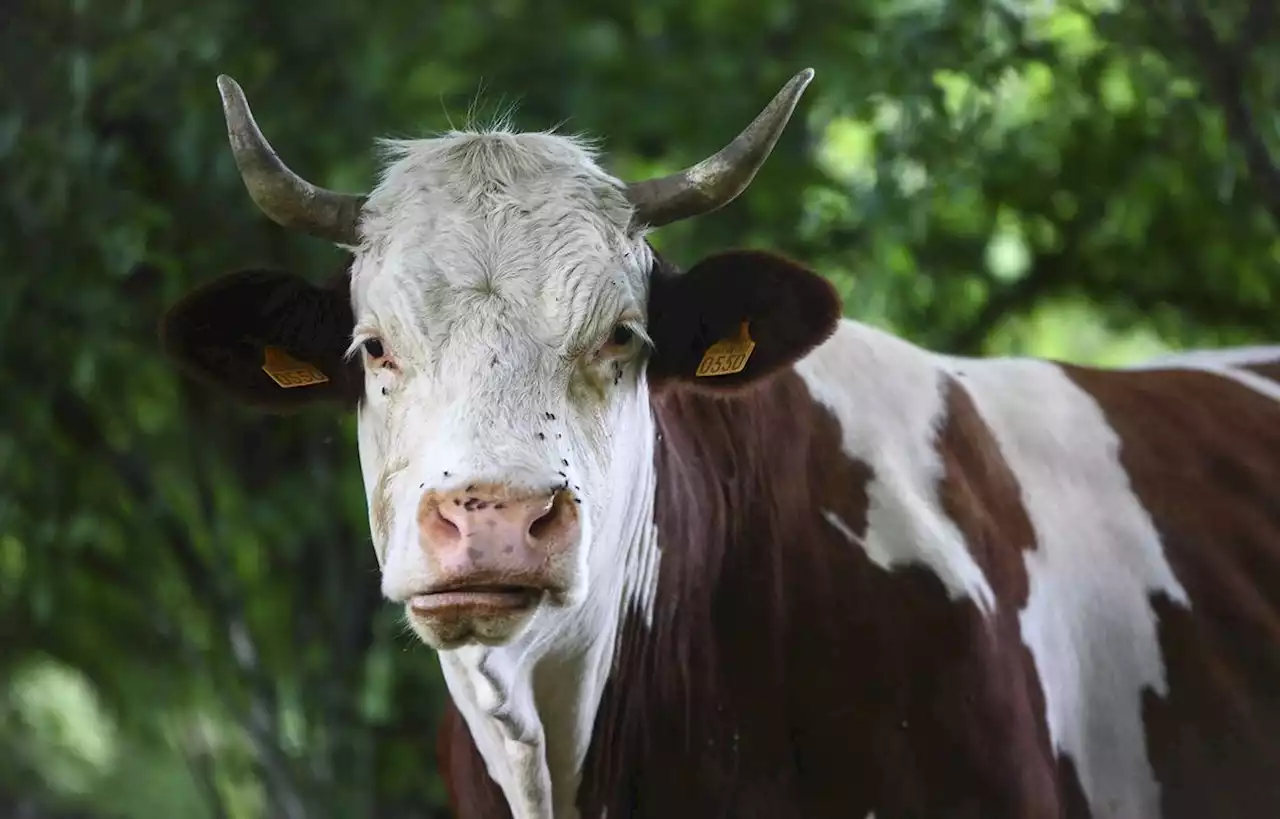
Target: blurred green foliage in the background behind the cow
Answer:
[[189, 603]]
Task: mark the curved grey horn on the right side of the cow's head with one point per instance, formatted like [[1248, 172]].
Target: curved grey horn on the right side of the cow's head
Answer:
[[720, 179]]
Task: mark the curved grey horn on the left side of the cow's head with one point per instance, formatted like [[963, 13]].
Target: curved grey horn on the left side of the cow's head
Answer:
[[286, 198]]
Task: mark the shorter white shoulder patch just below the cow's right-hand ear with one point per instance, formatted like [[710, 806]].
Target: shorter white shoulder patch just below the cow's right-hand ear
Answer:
[[888, 396]]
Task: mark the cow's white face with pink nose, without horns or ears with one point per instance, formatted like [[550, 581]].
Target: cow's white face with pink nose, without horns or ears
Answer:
[[490, 289]]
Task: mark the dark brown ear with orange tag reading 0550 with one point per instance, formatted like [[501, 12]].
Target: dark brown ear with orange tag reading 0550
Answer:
[[737, 318]]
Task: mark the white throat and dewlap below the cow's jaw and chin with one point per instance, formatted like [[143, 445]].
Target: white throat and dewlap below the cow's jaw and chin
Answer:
[[532, 704]]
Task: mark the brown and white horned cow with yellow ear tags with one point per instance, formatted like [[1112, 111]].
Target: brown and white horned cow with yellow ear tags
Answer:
[[689, 543]]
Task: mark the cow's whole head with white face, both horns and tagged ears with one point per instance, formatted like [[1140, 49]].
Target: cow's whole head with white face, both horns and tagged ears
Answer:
[[500, 332]]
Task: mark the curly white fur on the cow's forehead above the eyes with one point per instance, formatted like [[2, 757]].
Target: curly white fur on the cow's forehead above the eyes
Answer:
[[524, 222]]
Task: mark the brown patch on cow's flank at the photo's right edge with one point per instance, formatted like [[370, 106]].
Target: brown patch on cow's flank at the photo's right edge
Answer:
[[1204, 456]]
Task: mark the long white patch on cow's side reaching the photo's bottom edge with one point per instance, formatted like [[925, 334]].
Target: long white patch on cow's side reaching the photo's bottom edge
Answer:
[[1099, 559]]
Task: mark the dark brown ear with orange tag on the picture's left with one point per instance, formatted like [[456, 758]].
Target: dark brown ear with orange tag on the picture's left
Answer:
[[269, 340]]
